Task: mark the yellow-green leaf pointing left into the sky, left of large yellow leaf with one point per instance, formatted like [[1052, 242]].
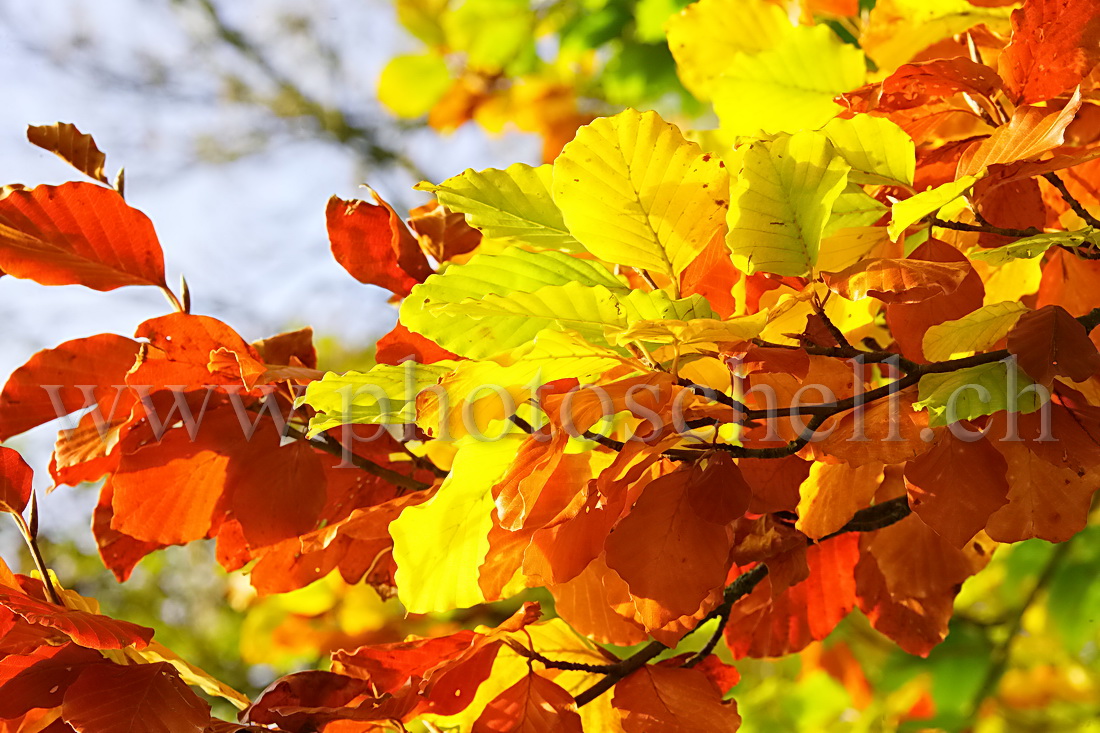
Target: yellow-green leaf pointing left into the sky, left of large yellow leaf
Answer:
[[512, 205]]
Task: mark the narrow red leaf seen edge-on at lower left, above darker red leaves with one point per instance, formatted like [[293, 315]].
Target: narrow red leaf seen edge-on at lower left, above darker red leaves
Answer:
[[91, 630]]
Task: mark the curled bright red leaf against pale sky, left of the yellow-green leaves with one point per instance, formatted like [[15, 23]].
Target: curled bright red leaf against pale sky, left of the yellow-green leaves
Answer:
[[372, 244]]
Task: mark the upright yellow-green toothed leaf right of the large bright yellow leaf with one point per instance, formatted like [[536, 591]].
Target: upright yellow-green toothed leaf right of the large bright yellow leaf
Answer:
[[782, 202]]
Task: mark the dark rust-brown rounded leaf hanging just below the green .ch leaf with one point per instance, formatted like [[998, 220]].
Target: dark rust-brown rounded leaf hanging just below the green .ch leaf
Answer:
[[958, 509]]
